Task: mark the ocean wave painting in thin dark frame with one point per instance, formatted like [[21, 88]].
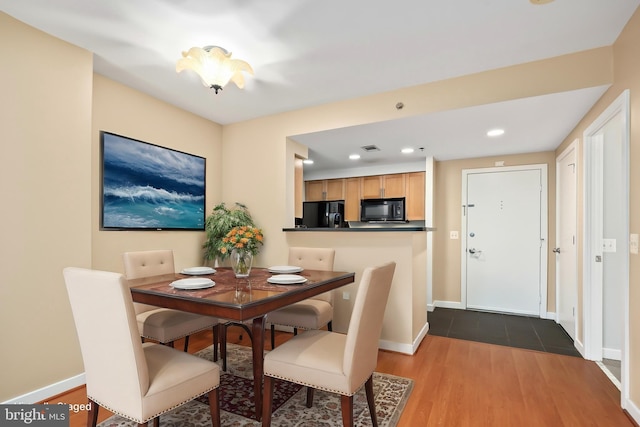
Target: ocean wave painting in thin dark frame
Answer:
[[148, 187]]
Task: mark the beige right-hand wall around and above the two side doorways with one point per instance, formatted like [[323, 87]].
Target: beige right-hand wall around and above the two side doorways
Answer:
[[626, 76]]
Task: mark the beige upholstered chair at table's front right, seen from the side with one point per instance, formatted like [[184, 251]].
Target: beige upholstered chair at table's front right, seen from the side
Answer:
[[332, 361]]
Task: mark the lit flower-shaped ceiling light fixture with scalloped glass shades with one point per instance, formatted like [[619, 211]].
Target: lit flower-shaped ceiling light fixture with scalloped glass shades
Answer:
[[214, 66]]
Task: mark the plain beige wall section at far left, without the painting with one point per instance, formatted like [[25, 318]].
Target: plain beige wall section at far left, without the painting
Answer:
[[45, 188]]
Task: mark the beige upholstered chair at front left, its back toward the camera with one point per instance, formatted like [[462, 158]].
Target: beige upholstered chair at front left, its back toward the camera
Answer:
[[137, 380]]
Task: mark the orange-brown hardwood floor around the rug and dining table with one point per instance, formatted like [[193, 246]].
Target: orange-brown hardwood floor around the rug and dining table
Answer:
[[465, 383]]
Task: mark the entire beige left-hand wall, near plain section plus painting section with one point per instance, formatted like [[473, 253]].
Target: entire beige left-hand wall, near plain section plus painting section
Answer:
[[53, 108]]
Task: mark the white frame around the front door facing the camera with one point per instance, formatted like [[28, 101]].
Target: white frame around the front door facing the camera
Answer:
[[544, 190]]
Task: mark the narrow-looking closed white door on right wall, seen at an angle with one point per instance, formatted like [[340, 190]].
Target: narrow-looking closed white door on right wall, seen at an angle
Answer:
[[566, 234]]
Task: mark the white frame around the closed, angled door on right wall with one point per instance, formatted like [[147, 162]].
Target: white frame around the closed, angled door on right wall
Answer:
[[573, 146]]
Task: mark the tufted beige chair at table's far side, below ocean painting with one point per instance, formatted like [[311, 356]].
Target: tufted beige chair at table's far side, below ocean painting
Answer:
[[162, 324]]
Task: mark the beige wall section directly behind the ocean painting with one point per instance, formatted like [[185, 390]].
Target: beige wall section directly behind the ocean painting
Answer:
[[121, 110]]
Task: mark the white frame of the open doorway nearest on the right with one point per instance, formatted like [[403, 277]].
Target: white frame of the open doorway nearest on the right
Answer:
[[593, 233]]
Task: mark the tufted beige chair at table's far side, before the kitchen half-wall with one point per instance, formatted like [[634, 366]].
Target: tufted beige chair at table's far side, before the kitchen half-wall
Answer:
[[312, 313]]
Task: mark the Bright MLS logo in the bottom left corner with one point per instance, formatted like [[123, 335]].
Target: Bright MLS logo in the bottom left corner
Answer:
[[34, 415]]
